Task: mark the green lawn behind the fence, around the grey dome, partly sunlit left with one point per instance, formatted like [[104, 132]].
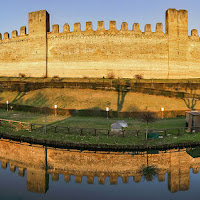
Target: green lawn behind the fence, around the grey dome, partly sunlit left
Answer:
[[89, 122]]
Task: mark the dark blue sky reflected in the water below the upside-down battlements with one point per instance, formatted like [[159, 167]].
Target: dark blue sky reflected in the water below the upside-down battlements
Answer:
[[12, 186]]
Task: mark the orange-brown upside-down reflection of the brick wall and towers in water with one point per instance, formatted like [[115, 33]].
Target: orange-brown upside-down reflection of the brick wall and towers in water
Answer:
[[41, 161]]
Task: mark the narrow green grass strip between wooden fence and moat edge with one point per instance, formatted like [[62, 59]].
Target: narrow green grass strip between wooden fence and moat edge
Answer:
[[102, 138]]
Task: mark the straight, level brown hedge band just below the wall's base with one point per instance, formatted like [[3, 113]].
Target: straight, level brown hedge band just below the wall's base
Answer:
[[27, 86]]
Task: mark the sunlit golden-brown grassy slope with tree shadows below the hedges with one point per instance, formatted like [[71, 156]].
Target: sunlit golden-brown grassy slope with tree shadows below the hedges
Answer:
[[81, 99]]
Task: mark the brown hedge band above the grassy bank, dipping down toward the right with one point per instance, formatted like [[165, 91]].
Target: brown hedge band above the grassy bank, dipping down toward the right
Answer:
[[140, 88]]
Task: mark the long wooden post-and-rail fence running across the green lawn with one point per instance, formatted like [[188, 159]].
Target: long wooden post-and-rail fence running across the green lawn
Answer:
[[56, 129]]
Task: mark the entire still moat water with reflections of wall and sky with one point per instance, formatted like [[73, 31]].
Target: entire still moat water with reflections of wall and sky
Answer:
[[37, 172]]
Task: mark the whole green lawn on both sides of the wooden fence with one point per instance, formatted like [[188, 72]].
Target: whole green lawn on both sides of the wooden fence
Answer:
[[91, 123]]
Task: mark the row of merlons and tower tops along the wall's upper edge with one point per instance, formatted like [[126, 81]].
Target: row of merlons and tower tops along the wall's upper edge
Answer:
[[176, 23]]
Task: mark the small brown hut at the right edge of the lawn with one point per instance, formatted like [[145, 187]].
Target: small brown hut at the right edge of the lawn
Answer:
[[192, 120]]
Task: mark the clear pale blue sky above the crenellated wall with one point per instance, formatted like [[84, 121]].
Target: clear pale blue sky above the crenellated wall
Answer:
[[14, 13]]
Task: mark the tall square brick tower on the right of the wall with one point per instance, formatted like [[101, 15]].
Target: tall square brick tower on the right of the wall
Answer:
[[177, 31]]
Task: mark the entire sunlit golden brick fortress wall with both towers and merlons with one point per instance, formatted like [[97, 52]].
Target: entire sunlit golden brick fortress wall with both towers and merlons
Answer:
[[90, 53]]
